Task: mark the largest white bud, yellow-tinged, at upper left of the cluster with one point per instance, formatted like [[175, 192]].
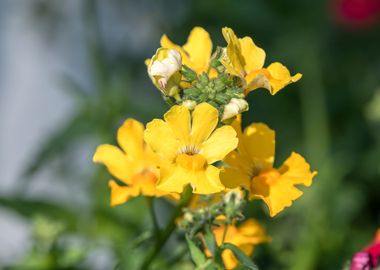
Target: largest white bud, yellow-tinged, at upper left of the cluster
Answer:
[[164, 70]]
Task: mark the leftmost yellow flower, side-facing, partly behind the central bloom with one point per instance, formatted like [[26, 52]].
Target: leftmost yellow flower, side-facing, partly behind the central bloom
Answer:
[[134, 164]]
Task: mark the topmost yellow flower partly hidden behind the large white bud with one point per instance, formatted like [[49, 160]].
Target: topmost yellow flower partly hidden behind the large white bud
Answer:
[[196, 53]]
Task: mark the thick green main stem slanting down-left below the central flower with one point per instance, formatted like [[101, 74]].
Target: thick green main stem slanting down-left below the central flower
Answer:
[[167, 232]]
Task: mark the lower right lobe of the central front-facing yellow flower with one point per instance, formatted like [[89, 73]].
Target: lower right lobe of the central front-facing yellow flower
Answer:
[[207, 182]]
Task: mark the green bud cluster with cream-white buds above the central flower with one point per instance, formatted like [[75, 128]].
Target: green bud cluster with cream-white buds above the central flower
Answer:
[[181, 85]]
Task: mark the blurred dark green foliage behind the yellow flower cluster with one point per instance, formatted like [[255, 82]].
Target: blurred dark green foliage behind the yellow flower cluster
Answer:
[[331, 117]]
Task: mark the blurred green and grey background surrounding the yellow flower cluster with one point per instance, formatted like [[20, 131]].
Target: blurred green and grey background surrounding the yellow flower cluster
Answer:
[[72, 71]]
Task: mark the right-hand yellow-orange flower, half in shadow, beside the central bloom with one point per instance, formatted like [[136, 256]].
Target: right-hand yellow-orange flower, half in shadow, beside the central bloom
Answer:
[[251, 166]]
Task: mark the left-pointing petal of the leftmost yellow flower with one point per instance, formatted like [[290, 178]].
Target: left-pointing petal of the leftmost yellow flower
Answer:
[[115, 160]]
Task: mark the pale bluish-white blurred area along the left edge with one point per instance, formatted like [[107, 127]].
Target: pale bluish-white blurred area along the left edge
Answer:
[[32, 105]]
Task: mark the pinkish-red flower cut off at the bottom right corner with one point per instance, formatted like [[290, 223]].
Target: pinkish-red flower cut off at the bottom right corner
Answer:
[[369, 257]]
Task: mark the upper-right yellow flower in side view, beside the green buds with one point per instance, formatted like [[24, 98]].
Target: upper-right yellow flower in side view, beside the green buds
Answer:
[[245, 60]]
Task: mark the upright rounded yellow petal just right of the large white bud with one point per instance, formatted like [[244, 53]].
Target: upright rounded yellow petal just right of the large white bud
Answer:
[[199, 48]]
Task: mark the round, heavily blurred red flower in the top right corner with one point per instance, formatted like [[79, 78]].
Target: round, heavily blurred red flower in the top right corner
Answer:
[[356, 13]]
